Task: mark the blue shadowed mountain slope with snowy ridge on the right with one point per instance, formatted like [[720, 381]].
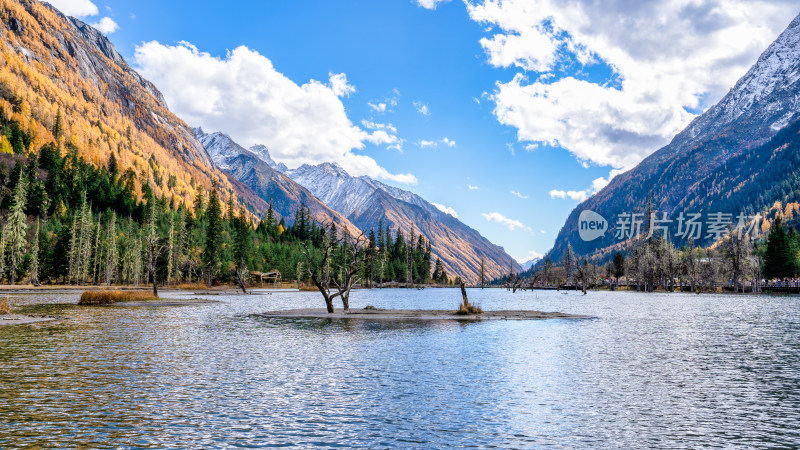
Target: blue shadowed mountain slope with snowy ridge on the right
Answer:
[[731, 159]]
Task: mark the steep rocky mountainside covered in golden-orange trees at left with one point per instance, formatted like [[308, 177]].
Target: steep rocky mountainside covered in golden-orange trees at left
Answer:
[[59, 69]]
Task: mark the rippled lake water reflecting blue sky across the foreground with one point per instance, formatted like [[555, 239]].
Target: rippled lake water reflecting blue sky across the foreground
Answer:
[[659, 370]]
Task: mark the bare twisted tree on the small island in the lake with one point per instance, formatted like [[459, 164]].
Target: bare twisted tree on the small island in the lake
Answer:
[[344, 256]]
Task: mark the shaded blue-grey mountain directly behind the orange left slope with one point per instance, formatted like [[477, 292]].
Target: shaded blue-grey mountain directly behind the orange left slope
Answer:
[[249, 169]]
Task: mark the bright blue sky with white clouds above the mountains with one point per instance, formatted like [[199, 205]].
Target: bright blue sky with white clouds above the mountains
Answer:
[[540, 102]]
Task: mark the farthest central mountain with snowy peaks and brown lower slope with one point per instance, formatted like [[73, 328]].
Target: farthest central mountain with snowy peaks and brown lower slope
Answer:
[[366, 202]]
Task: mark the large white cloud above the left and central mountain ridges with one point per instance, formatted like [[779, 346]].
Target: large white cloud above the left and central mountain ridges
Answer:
[[243, 95]]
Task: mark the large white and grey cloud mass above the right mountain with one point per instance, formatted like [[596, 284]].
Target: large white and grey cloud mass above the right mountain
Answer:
[[667, 57]]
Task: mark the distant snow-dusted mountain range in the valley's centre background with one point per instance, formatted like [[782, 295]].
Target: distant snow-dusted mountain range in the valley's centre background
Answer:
[[360, 201]]
